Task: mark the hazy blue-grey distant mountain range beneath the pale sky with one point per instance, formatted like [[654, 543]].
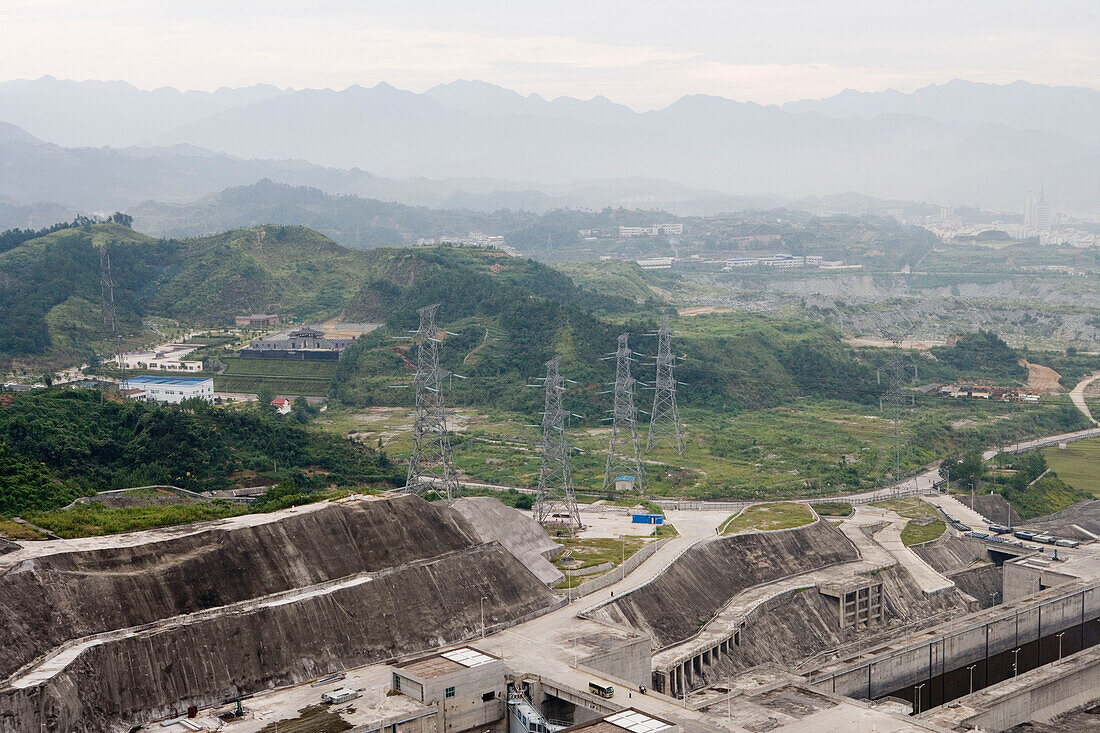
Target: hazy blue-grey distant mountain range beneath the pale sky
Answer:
[[470, 144]]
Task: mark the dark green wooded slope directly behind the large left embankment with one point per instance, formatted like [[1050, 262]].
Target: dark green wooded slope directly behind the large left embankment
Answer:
[[59, 445]]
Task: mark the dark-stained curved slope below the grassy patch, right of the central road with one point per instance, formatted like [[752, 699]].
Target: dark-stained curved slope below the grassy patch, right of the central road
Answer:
[[714, 572]]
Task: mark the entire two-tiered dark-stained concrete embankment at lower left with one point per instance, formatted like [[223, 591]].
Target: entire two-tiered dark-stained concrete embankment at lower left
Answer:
[[103, 639]]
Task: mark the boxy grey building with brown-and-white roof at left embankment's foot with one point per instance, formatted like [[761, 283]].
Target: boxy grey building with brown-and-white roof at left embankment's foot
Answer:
[[466, 685]]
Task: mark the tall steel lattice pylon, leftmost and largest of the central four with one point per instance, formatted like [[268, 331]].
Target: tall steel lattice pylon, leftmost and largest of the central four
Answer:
[[431, 467]]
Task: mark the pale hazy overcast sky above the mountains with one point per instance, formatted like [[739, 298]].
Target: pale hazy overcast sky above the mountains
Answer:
[[644, 53]]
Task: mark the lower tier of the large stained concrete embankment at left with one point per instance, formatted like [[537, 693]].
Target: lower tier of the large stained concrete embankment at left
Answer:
[[159, 673]]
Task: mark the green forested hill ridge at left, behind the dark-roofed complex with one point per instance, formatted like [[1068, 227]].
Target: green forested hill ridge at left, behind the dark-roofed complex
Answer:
[[50, 286]]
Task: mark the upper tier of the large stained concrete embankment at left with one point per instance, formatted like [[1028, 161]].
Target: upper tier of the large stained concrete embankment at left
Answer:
[[48, 600]]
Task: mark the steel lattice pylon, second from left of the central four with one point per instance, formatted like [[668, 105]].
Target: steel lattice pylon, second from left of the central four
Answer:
[[556, 504]]
